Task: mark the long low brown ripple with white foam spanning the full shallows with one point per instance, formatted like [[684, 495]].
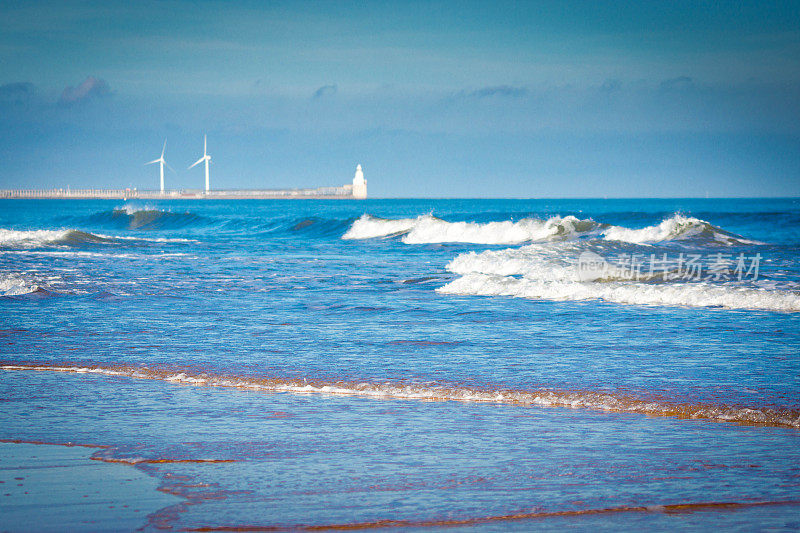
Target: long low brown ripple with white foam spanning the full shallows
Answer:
[[651, 405]]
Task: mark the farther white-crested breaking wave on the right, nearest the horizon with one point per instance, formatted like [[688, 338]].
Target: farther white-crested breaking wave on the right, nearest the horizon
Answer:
[[428, 229]]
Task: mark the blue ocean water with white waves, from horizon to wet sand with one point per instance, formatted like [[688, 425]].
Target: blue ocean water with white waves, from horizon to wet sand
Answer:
[[477, 364]]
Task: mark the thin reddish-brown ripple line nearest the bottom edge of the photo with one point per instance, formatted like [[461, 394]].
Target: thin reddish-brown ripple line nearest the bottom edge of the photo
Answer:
[[533, 515]]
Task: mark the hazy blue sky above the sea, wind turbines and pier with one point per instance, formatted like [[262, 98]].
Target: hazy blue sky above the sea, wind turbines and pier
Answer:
[[498, 99]]
